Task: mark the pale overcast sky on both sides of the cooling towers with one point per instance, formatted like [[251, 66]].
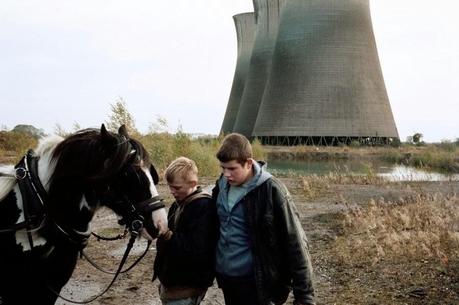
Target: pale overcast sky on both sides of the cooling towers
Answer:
[[65, 61]]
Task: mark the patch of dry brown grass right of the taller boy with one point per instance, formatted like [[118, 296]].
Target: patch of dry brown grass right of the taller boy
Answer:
[[421, 227]]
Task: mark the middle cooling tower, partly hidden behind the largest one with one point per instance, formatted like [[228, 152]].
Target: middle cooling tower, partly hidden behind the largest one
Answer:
[[267, 22]]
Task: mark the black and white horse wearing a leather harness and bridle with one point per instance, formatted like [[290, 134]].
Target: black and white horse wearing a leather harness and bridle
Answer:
[[48, 200]]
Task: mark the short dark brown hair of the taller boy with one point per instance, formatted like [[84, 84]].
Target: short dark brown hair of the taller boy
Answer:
[[235, 147]]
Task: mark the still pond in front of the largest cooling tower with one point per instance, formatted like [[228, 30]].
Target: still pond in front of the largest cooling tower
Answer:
[[389, 171]]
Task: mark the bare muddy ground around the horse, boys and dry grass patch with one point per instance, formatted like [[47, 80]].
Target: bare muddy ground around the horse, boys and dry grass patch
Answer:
[[386, 283]]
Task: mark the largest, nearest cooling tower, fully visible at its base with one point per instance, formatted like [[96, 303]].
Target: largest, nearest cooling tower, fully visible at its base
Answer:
[[326, 82]]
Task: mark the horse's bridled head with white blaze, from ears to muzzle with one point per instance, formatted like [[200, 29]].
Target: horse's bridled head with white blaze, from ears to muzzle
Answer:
[[131, 190]]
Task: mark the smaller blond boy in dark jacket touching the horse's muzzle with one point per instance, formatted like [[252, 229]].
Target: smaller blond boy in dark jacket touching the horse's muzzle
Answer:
[[184, 263]]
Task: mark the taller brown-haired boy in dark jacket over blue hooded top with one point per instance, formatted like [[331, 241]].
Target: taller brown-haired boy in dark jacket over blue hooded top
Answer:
[[262, 251]]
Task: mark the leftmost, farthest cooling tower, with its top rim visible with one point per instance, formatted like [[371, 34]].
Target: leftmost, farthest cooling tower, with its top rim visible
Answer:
[[245, 30]]
